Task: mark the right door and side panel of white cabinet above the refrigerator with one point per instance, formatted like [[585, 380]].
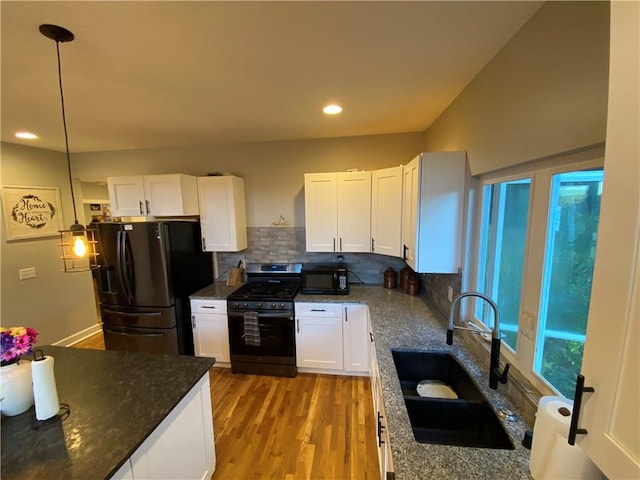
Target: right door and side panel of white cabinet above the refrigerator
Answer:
[[172, 194]]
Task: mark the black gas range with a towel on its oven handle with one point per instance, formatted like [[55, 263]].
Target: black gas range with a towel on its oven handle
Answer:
[[261, 320]]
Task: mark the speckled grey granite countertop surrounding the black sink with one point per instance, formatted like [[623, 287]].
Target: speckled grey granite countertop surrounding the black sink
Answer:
[[400, 320]]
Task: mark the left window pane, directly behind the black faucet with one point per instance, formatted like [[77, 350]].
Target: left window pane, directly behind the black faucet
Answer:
[[503, 233]]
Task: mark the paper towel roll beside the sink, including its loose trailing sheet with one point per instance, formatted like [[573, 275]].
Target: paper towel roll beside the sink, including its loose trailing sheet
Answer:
[[552, 458]]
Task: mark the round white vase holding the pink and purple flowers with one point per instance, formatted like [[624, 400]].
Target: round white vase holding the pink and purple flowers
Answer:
[[16, 388]]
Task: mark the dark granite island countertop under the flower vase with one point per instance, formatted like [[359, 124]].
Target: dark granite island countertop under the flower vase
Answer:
[[116, 400]]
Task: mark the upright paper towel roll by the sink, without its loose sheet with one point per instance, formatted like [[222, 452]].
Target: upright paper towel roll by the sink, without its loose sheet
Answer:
[[548, 424]]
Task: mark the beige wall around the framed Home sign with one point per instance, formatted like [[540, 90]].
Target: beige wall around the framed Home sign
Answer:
[[56, 304]]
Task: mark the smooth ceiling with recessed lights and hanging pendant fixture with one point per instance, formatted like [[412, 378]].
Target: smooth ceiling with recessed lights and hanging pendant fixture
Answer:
[[158, 74]]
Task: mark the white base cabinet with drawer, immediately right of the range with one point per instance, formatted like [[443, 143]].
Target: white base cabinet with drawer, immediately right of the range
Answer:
[[319, 338]]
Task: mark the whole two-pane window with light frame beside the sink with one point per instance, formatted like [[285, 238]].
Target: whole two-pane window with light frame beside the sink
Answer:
[[535, 251]]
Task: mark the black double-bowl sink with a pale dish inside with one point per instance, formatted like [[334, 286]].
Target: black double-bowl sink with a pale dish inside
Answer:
[[467, 421]]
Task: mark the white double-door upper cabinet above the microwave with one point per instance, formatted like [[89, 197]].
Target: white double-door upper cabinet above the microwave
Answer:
[[338, 211]]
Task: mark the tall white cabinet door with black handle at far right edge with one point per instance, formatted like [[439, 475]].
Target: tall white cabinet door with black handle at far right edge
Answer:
[[610, 414]]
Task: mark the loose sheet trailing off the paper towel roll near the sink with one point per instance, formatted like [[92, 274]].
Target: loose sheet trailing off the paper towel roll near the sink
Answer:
[[569, 462]]
